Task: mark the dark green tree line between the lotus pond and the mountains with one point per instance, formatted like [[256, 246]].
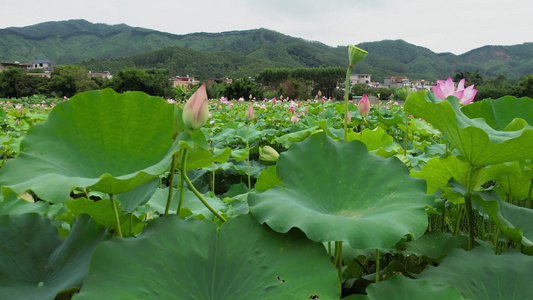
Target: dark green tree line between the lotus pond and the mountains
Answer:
[[298, 83]]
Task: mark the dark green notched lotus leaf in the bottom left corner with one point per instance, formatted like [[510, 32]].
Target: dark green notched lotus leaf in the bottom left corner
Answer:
[[35, 263]]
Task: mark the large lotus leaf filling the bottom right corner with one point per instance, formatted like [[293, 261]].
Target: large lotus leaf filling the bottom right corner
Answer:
[[479, 274]]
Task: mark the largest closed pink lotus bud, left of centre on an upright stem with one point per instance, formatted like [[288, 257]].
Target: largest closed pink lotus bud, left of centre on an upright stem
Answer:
[[196, 110]]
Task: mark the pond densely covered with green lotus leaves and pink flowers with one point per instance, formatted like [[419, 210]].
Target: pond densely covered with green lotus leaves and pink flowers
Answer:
[[112, 196]]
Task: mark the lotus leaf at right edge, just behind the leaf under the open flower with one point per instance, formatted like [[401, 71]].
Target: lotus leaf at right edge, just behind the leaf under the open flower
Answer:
[[500, 112]]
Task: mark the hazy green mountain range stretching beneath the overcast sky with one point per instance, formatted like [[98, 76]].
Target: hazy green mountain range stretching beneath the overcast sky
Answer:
[[242, 53]]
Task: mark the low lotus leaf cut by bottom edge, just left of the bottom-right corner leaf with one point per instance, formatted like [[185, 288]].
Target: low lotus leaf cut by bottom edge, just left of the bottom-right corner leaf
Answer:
[[402, 288]]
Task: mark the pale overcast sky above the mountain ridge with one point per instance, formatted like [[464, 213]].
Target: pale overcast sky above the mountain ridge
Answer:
[[455, 26]]
